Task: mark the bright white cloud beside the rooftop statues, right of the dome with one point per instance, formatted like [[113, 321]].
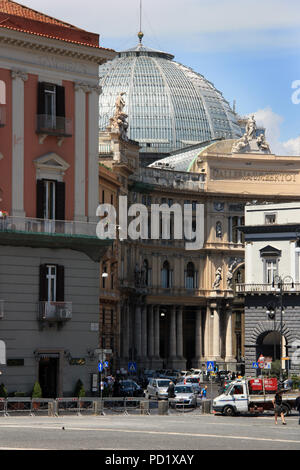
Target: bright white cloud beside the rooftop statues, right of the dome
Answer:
[[272, 121]]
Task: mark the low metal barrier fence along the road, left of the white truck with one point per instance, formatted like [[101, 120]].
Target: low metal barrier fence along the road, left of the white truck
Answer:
[[97, 406]]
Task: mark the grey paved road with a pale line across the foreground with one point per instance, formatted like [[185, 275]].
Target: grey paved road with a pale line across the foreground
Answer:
[[191, 431]]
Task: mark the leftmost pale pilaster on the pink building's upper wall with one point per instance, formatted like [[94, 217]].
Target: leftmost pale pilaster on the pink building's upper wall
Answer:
[[18, 79]]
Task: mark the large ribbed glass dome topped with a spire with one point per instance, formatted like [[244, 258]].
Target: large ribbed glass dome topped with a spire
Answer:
[[169, 106]]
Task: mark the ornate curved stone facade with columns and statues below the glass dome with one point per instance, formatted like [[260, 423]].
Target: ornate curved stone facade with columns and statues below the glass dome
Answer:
[[178, 306]]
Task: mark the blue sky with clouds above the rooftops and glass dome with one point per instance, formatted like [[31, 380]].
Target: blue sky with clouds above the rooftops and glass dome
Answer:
[[249, 50]]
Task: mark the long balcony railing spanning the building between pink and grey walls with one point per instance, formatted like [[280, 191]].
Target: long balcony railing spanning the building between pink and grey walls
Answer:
[[46, 226]]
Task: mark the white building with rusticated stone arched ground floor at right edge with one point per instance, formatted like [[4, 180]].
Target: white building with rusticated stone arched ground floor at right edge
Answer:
[[272, 285]]
